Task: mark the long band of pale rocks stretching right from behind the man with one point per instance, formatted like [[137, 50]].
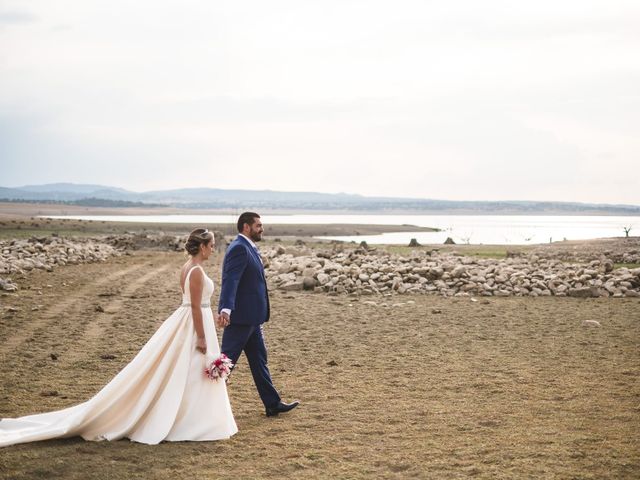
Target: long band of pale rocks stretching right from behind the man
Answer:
[[364, 272]]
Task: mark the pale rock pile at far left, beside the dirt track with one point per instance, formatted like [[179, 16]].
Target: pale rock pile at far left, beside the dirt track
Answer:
[[19, 256]]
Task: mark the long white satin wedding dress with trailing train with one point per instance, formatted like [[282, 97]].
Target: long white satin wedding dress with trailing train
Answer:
[[162, 395]]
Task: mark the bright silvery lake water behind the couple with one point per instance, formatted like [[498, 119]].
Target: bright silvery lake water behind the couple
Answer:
[[473, 229]]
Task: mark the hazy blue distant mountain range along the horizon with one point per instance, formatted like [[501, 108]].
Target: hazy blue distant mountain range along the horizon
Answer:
[[200, 198]]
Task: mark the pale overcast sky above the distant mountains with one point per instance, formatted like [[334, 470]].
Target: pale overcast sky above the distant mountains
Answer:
[[459, 99]]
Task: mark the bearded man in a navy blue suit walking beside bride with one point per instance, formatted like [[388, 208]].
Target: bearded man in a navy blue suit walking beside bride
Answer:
[[244, 307]]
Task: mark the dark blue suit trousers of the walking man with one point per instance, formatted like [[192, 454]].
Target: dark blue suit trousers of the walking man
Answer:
[[249, 338]]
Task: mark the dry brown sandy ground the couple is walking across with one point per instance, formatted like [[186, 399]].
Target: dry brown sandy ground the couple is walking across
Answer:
[[424, 387]]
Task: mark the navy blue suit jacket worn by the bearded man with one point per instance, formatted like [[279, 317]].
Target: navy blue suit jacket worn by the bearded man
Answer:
[[244, 287]]
